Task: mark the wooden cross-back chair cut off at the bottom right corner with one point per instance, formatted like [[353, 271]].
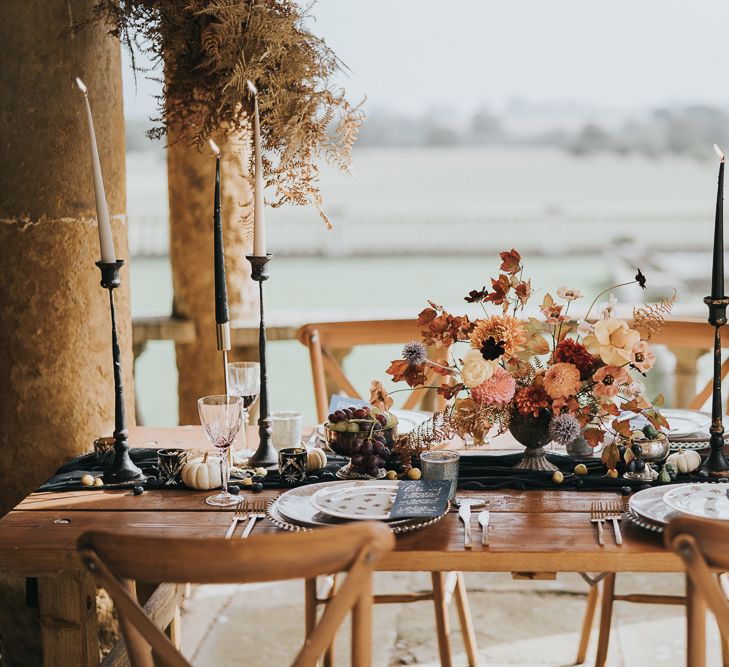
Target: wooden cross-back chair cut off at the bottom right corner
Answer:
[[703, 546]]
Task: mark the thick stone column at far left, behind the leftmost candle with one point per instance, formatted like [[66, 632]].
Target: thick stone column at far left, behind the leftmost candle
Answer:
[[55, 336]]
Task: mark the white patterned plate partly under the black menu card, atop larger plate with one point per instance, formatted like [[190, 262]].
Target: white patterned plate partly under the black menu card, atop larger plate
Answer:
[[357, 499]]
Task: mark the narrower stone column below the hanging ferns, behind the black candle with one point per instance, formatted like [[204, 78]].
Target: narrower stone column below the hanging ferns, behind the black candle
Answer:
[[191, 176]]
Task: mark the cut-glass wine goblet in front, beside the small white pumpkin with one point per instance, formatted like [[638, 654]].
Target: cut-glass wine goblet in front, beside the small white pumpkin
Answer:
[[221, 417]]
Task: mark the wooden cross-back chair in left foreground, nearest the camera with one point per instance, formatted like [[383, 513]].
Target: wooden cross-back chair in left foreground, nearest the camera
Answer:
[[118, 561]]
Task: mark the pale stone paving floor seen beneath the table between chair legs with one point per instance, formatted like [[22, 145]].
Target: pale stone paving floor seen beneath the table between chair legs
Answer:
[[517, 623]]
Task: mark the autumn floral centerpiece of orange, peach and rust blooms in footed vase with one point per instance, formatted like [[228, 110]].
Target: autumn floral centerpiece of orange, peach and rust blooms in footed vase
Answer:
[[553, 377]]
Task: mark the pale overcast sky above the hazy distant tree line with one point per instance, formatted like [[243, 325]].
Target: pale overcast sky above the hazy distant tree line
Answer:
[[414, 55]]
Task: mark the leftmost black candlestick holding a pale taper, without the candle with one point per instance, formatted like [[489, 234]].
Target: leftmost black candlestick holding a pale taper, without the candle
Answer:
[[122, 470]]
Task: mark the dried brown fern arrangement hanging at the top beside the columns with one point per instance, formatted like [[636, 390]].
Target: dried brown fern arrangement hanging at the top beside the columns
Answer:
[[209, 48]]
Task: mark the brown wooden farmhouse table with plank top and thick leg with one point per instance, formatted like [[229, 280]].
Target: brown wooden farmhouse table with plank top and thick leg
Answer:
[[531, 533]]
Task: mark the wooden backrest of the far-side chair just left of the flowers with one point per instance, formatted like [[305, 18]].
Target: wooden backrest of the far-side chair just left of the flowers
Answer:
[[325, 337]]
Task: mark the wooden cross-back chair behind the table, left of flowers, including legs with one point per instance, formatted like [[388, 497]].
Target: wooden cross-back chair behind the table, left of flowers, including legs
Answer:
[[322, 339]]
